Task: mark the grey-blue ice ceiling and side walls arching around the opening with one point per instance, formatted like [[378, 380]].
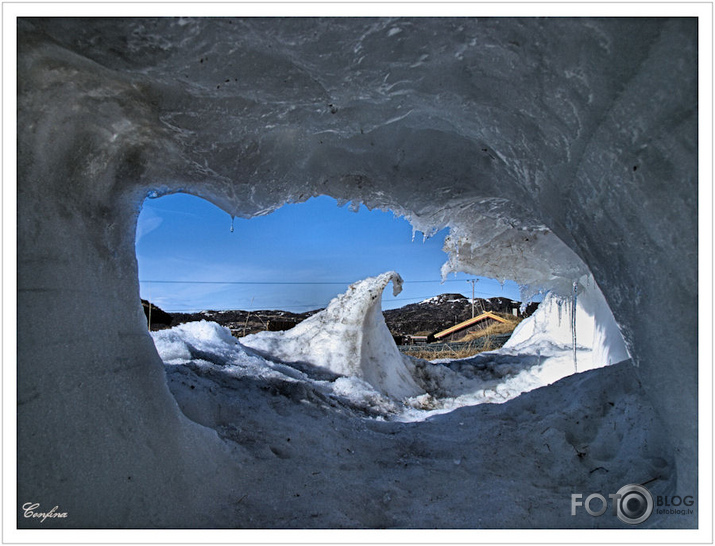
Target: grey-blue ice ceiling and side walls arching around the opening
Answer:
[[550, 147]]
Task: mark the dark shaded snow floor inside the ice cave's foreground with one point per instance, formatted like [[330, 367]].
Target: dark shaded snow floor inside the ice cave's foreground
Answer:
[[307, 457]]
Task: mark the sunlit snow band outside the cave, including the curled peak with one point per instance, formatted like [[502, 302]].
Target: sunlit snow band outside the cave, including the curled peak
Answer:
[[346, 353]]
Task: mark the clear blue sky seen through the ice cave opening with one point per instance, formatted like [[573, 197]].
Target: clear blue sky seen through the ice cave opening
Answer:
[[296, 259]]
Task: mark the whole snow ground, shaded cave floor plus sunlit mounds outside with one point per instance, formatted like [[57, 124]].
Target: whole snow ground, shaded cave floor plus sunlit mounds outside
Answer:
[[332, 405]]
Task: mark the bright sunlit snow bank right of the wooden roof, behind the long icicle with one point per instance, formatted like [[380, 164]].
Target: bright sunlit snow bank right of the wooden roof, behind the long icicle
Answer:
[[544, 348]]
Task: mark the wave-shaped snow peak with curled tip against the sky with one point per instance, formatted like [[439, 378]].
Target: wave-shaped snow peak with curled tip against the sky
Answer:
[[349, 338]]
